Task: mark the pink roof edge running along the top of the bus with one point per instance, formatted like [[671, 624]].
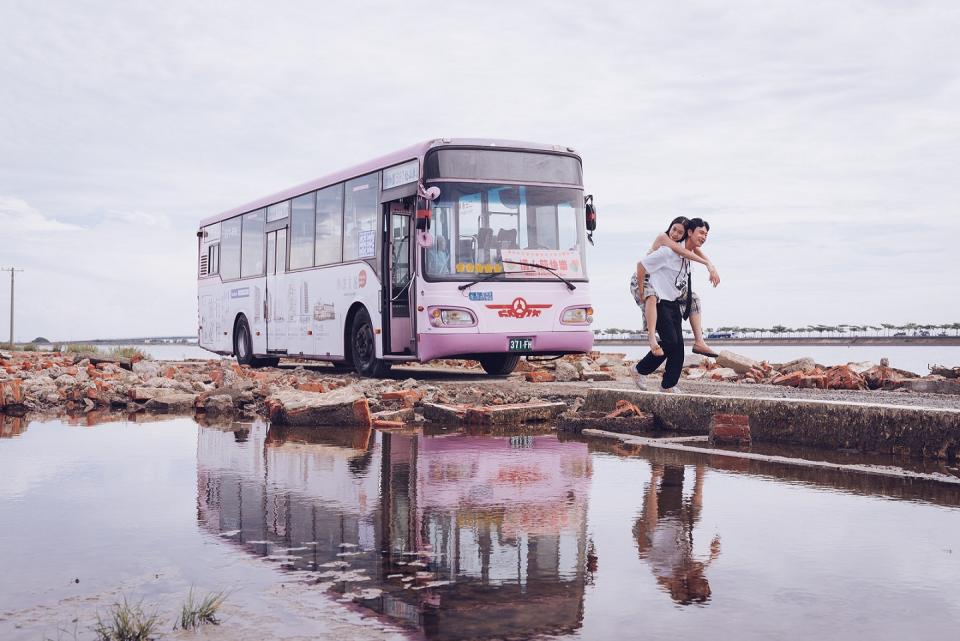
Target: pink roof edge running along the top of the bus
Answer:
[[414, 151]]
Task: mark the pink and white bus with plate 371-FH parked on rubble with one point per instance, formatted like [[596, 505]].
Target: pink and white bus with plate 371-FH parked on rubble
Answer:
[[452, 248]]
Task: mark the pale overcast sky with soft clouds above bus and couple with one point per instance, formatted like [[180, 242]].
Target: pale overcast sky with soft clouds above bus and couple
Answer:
[[820, 139]]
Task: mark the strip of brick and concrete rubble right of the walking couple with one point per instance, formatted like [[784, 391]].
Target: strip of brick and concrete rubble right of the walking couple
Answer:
[[805, 373]]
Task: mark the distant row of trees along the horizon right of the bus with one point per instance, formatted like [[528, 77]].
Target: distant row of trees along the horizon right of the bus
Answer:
[[811, 331]]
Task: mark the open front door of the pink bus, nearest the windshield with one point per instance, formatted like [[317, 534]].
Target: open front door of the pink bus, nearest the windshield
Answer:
[[398, 268]]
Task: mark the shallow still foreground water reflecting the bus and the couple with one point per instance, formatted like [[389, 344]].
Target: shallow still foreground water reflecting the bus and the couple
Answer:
[[461, 536]]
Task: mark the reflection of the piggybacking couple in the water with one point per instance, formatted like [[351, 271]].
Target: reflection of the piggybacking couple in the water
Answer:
[[664, 533]]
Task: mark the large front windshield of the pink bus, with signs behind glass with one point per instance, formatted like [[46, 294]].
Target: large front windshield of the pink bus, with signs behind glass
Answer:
[[487, 228]]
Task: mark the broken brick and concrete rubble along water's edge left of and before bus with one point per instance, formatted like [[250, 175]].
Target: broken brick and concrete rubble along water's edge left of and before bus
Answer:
[[32, 382]]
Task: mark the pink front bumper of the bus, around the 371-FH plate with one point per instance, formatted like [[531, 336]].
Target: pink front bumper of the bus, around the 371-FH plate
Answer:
[[461, 345]]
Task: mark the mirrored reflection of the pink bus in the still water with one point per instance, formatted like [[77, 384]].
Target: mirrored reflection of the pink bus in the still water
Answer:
[[499, 523]]
